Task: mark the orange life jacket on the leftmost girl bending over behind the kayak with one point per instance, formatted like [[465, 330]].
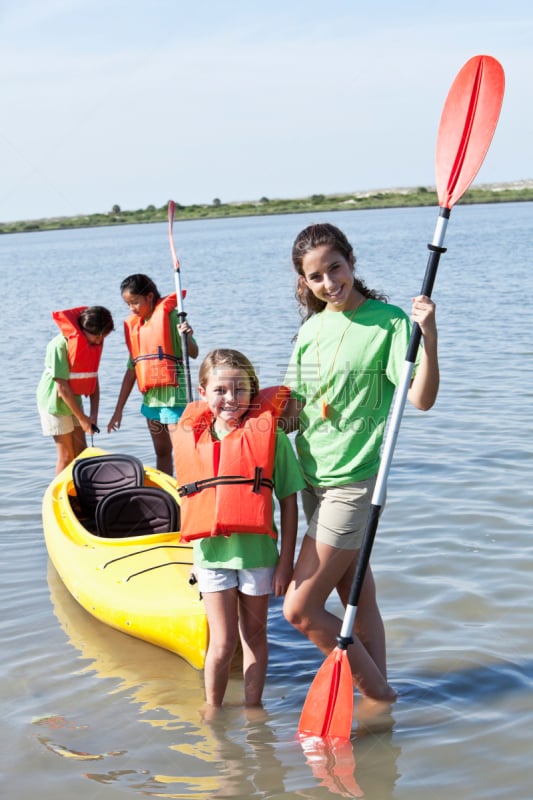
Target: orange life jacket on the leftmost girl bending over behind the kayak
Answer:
[[83, 358]]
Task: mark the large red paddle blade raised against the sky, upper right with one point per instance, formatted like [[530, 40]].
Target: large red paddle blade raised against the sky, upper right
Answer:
[[467, 124]]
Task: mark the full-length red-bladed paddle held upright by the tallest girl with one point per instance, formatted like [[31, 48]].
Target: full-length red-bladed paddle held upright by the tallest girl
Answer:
[[466, 128]]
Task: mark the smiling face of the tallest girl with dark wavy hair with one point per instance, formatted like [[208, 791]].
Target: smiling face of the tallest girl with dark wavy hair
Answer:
[[329, 275]]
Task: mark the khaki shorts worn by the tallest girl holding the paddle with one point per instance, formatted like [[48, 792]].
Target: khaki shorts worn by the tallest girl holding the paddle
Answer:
[[337, 515]]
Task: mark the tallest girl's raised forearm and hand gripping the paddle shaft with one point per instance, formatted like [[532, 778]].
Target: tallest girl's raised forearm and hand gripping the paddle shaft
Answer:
[[425, 386]]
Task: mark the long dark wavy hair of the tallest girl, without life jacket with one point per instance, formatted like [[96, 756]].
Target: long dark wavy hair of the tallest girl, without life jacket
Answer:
[[309, 239]]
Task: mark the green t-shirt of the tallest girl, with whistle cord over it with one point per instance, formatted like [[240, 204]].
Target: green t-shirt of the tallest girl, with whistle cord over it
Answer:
[[352, 363]]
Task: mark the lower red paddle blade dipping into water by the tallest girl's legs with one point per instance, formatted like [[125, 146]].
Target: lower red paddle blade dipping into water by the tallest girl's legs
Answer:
[[328, 708]]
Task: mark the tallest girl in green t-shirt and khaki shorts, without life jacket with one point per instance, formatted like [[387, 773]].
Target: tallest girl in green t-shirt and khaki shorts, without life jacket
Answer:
[[345, 366]]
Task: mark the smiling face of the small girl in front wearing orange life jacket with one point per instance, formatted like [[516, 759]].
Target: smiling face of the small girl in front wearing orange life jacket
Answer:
[[228, 393]]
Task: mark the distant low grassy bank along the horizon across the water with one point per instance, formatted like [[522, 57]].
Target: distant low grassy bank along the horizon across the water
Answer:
[[387, 198]]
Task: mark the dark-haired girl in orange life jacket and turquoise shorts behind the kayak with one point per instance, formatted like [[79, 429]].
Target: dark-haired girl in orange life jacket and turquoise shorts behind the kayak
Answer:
[[154, 334]]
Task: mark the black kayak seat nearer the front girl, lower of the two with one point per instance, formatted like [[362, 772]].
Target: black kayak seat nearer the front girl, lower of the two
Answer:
[[137, 511]]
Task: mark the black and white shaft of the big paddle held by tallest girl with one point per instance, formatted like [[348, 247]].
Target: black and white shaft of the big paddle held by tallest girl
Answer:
[[378, 497]]
